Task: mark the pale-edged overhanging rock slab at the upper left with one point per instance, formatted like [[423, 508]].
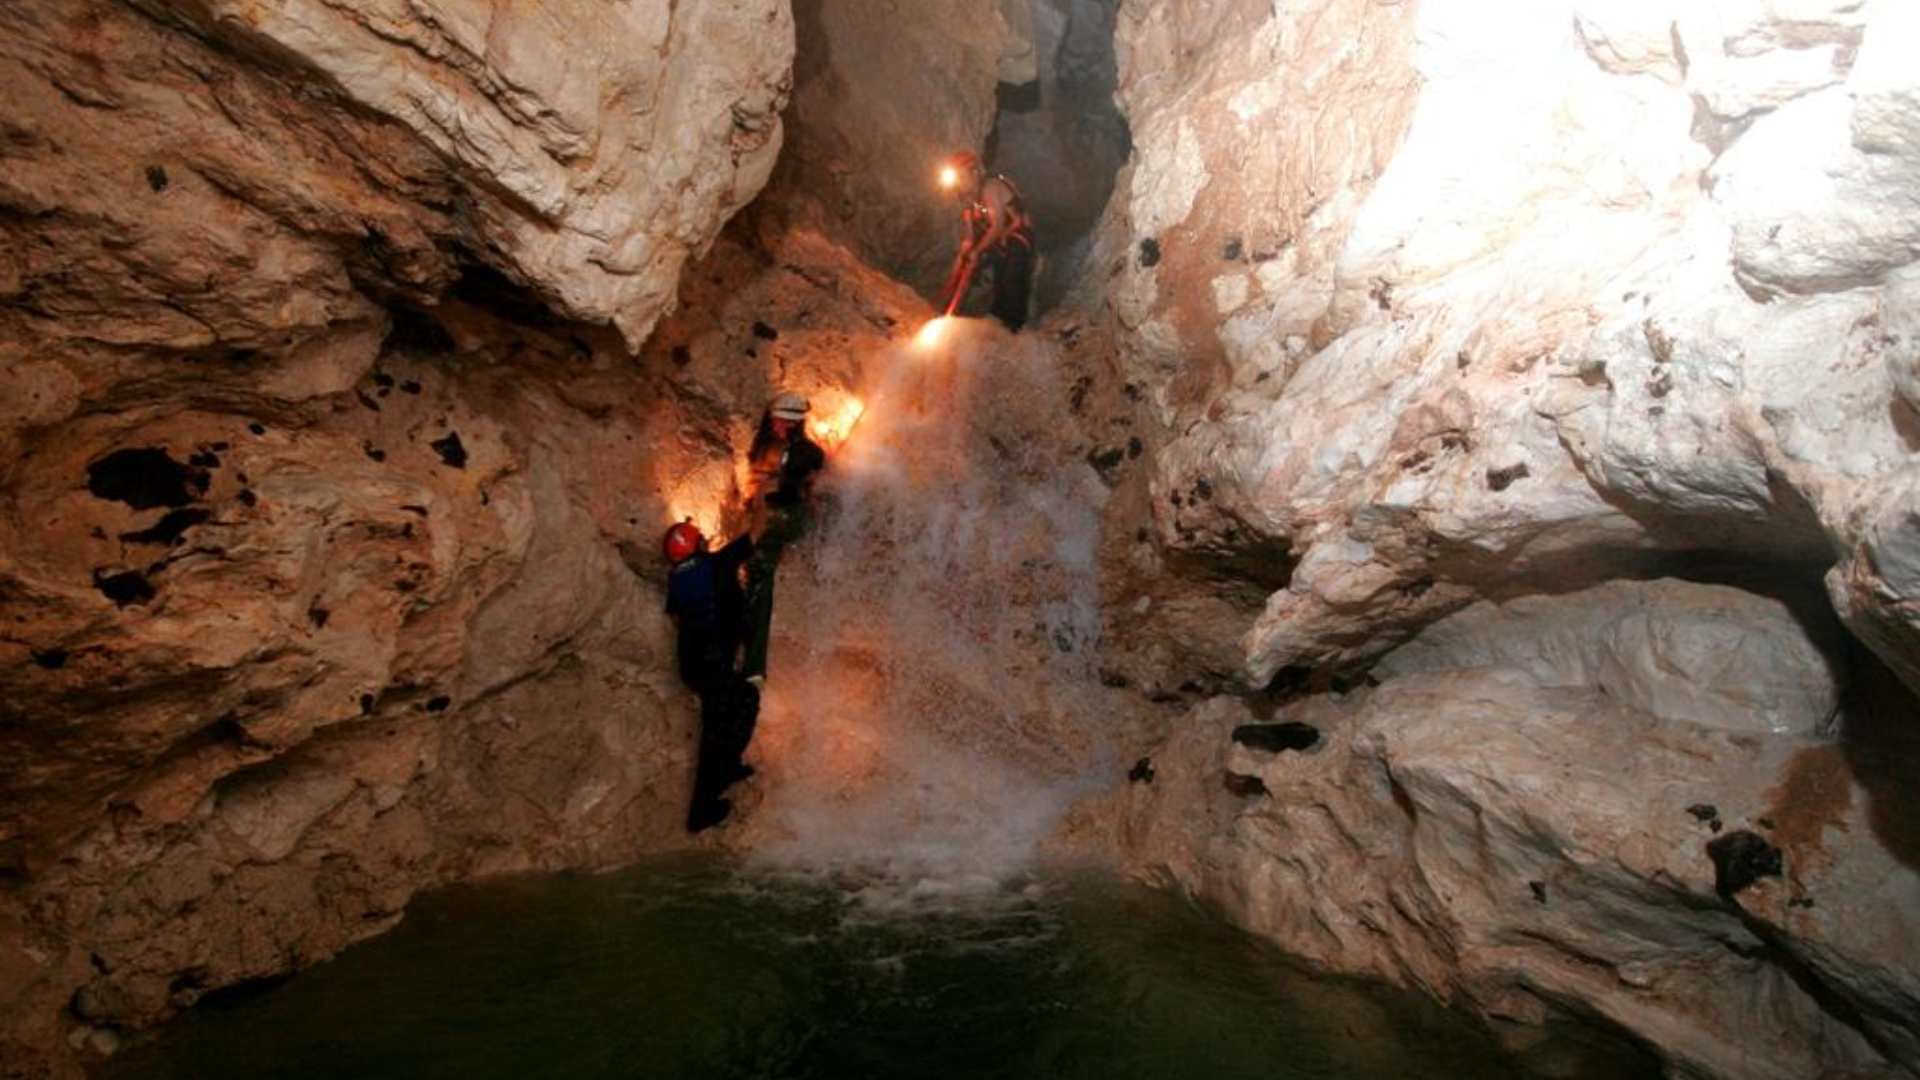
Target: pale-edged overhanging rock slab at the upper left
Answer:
[[224, 174]]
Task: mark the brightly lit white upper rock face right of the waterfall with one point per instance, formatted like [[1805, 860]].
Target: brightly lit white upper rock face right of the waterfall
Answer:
[[1596, 337]]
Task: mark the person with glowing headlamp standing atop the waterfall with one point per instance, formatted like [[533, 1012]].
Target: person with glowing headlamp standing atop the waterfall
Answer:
[[996, 233]]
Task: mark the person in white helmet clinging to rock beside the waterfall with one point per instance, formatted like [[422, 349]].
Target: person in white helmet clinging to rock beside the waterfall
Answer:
[[784, 464]]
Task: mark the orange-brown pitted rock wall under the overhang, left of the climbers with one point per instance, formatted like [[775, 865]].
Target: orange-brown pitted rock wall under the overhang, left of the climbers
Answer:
[[352, 679]]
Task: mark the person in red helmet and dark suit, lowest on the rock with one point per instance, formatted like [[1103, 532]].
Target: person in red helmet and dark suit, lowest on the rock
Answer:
[[704, 595]]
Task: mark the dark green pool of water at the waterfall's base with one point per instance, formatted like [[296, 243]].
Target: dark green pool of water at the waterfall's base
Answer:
[[706, 970]]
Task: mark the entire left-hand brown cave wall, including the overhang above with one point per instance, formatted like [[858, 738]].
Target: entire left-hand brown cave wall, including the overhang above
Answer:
[[318, 420]]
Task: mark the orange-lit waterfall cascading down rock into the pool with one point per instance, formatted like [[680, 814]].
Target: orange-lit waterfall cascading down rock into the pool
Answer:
[[932, 706]]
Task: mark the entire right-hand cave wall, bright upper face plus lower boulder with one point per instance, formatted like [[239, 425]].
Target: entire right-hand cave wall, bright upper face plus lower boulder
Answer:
[[1452, 314]]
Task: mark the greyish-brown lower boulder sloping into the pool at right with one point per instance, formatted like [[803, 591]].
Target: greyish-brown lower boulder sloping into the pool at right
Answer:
[[1541, 848]]
